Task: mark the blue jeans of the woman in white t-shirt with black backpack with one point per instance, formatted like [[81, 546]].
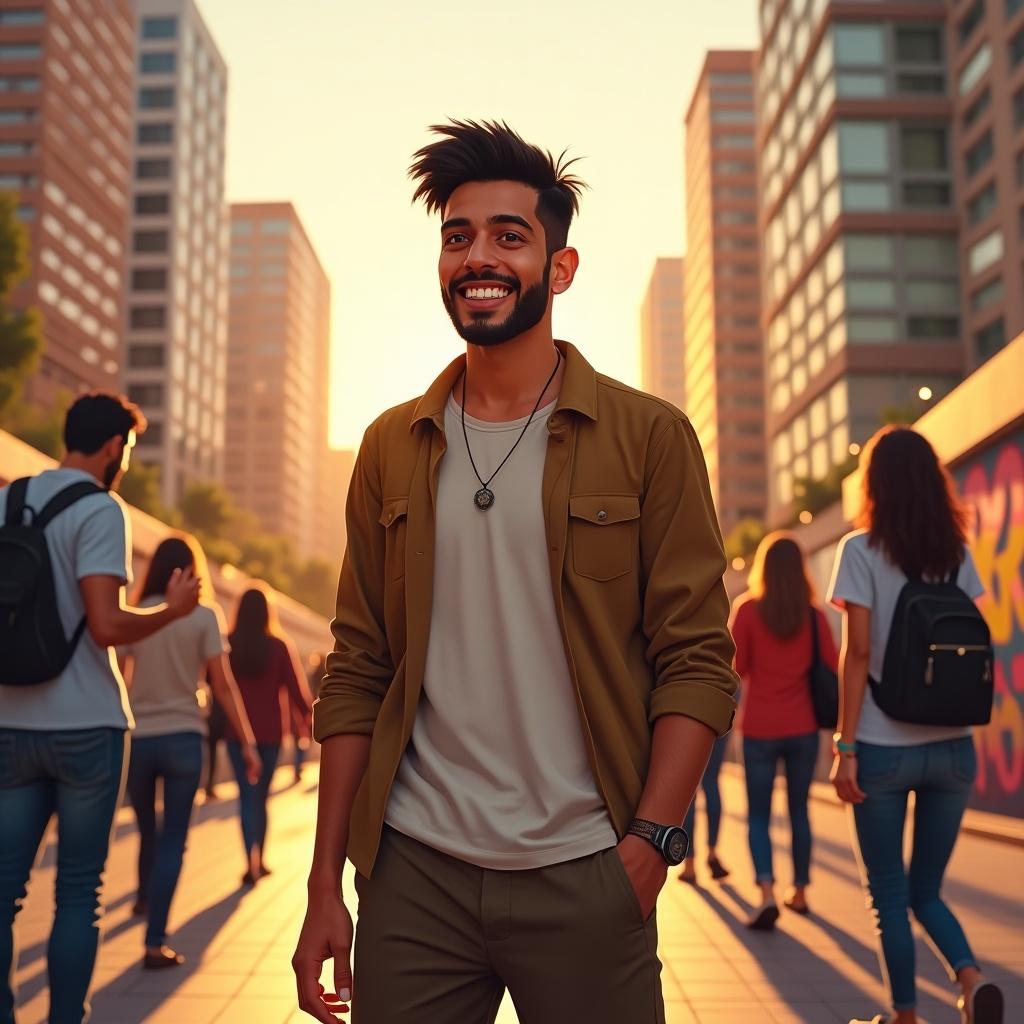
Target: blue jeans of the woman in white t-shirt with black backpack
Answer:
[[942, 776]]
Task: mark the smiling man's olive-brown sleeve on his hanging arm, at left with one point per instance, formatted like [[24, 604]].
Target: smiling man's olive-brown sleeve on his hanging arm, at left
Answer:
[[360, 669]]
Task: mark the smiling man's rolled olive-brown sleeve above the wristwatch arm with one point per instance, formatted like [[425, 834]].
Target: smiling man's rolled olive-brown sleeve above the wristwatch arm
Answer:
[[687, 609]]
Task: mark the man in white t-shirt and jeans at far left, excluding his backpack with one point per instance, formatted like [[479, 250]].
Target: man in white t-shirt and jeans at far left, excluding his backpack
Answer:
[[63, 743]]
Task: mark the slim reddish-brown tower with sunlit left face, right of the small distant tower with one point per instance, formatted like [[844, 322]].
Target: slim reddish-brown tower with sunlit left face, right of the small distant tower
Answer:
[[724, 367]]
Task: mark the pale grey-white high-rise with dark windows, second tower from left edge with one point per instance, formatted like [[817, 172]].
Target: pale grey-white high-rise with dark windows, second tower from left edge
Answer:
[[177, 324]]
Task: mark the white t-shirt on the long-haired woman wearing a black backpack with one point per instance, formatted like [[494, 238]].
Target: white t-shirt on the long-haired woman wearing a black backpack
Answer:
[[865, 576]]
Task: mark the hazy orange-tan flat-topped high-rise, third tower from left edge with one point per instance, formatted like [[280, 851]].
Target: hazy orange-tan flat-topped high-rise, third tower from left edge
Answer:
[[277, 461]]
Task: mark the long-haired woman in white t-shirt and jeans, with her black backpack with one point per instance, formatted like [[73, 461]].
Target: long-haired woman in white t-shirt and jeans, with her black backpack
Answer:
[[916, 674]]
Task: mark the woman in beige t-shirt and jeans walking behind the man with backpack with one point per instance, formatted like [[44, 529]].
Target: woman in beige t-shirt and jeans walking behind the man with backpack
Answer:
[[163, 673]]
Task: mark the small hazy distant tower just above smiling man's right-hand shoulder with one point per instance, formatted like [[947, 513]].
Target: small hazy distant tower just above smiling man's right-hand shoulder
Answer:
[[662, 332]]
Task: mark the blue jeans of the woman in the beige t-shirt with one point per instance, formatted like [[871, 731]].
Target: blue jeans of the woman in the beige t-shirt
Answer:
[[178, 759]]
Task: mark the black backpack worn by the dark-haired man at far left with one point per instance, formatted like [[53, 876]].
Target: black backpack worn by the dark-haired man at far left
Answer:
[[33, 646]]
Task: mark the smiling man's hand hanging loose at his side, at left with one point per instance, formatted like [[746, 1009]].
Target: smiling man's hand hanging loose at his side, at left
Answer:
[[327, 934]]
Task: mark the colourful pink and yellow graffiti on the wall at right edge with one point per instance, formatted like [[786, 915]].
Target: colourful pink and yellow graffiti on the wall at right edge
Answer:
[[993, 484]]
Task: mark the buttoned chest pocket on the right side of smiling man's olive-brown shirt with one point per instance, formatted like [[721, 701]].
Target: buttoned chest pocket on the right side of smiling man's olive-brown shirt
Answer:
[[605, 534]]
